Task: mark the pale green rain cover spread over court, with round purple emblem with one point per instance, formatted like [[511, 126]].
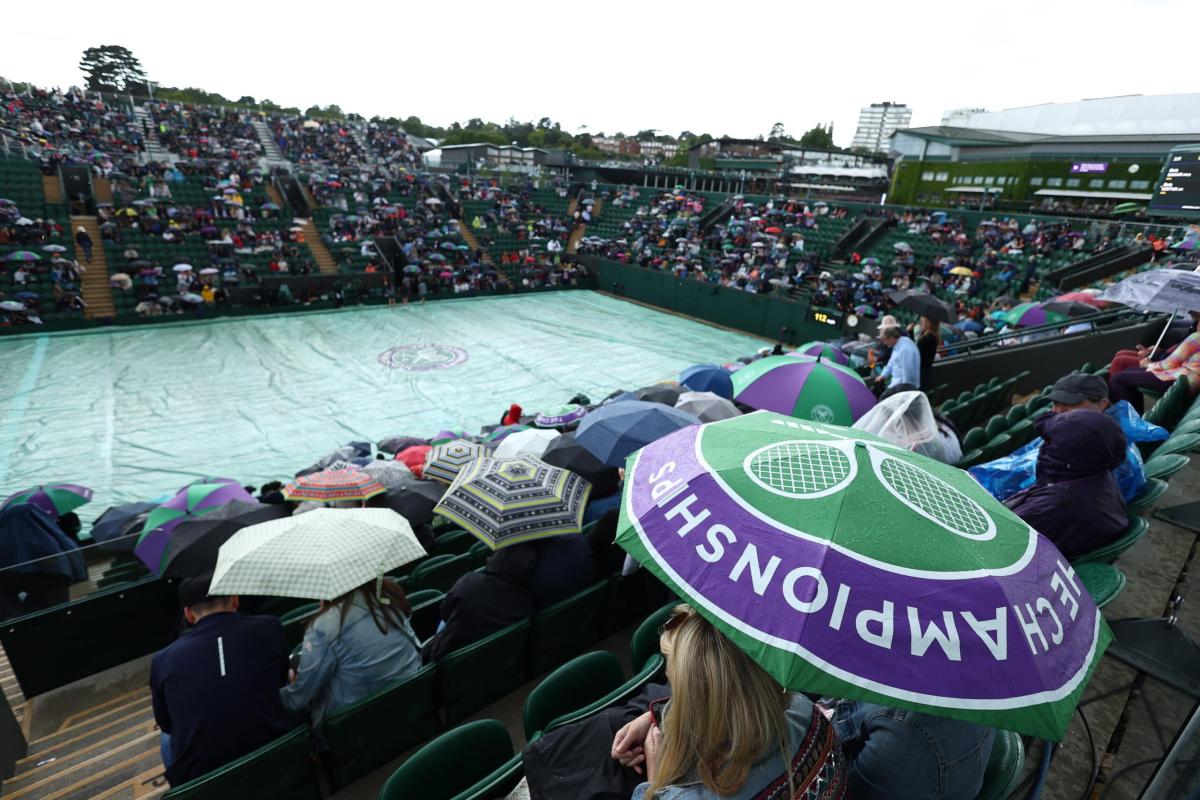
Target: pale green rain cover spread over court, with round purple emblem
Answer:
[[137, 413]]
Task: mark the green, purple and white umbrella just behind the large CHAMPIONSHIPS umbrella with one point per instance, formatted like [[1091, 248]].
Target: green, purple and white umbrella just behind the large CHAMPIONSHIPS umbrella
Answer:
[[803, 388]]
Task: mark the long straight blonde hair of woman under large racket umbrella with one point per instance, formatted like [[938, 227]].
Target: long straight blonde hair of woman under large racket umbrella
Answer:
[[725, 711]]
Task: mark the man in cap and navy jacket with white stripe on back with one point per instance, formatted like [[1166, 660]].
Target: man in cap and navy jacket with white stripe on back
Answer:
[[217, 690]]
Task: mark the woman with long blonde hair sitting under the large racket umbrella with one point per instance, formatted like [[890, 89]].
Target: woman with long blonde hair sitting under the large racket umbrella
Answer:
[[730, 731]]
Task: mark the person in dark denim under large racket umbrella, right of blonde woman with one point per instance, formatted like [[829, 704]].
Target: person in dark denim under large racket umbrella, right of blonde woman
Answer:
[[898, 755]]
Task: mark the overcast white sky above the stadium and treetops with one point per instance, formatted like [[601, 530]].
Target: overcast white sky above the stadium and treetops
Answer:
[[622, 65]]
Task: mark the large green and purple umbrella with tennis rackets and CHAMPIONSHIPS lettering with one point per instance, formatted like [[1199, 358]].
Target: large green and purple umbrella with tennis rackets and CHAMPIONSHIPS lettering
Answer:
[[847, 567]]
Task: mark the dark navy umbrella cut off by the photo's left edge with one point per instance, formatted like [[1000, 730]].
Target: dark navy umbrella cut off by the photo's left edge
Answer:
[[33, 543]]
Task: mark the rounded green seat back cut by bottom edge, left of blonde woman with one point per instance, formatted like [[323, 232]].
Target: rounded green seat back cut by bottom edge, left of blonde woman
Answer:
[[472, 761]]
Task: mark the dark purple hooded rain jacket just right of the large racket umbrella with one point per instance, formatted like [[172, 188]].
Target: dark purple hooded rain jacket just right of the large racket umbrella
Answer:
[[1076, 502]]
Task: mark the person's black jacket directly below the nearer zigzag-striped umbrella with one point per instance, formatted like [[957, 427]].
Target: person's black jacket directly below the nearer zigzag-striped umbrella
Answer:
[[481, 604]]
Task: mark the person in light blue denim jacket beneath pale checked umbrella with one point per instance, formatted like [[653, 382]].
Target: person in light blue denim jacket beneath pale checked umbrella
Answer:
[[361, 643]]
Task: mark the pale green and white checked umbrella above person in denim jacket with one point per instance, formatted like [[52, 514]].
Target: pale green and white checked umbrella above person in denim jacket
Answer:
[[317, 556]]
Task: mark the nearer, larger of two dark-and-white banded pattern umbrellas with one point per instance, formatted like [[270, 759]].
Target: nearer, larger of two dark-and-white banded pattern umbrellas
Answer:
[[511, 501]]
